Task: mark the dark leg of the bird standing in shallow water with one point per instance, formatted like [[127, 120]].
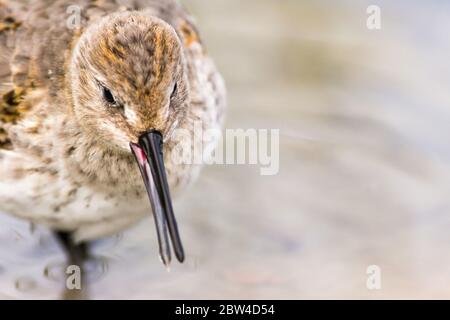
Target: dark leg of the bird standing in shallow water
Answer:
[[77, 255]]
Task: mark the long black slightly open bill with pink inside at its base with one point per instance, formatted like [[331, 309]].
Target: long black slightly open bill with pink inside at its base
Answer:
[[149, 156]]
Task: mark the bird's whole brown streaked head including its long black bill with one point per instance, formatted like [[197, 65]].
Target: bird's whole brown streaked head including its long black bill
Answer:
[[129, 88]]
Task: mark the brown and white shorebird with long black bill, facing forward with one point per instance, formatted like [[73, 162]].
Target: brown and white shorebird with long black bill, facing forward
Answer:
[[92, 95]]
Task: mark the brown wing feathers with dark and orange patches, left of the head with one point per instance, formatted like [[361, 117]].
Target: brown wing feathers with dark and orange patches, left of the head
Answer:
[[33, 42]]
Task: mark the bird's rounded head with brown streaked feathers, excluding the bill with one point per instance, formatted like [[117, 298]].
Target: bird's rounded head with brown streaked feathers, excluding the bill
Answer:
[[139, 60]]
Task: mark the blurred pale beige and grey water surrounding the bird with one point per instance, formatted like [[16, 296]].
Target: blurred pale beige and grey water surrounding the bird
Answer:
[[364, 177]]
